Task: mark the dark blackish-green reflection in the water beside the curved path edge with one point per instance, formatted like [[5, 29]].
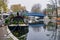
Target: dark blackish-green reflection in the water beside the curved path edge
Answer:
[[19, 32]]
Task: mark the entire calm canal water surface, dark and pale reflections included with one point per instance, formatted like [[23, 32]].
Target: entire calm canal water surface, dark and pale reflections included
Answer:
[[37, 32]]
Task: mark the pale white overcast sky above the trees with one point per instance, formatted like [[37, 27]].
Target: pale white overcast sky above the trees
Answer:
[[28, 3]]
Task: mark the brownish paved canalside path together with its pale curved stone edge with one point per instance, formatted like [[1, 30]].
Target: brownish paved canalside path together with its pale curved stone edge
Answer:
[[3, 33]]
